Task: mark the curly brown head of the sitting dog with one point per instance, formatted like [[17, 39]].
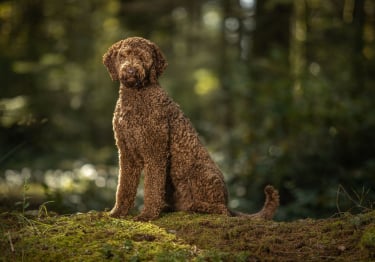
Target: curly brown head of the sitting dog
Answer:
[[135, 61]]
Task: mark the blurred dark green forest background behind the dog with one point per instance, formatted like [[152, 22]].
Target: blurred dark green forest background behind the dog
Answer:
[[281, 92]]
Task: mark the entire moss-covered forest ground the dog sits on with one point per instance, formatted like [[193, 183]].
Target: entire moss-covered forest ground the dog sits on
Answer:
[[94, 236]]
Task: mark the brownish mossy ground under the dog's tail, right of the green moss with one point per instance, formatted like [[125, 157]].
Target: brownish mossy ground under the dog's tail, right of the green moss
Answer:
[[345, 238]]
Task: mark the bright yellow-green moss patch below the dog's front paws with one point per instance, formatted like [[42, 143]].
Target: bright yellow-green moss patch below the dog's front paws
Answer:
[[95, 236]]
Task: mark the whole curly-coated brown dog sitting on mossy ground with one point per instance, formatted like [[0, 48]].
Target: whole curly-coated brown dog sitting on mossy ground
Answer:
[[154, 136]]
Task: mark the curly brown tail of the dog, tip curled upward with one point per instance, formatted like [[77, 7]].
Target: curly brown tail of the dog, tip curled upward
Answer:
[[270, 206]]
